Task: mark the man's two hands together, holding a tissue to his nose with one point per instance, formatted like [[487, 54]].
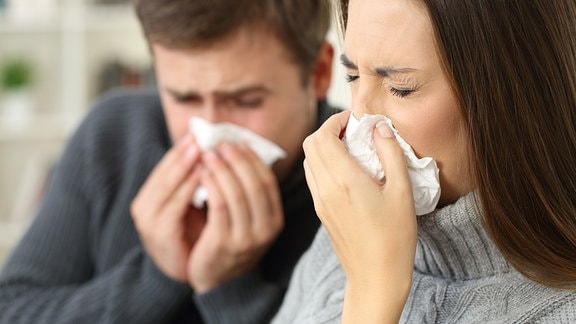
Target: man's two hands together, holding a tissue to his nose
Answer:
[[243, 219]]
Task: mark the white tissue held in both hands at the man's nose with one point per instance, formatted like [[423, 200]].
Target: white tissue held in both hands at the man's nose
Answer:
[[208, 135]]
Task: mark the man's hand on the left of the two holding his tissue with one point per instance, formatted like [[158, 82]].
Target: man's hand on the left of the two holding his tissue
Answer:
[[166, 223]]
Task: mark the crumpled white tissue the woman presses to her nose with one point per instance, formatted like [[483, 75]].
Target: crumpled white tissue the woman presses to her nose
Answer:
[[424, 173]]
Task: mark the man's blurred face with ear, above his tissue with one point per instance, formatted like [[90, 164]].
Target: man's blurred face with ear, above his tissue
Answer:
[[247, 79]]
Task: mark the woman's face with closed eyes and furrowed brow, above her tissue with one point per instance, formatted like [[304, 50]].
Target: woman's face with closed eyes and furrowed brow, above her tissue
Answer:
[[394, 70]]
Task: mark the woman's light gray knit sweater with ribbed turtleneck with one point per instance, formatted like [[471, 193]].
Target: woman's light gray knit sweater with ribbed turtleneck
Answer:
[[459, 277]]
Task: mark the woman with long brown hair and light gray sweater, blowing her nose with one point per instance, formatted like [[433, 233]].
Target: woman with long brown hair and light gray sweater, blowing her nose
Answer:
[[487, 89]]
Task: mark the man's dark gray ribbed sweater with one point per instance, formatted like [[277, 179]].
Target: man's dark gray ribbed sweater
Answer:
[[81, 260]]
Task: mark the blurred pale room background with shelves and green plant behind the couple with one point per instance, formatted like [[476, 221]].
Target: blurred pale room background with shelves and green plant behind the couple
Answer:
[[56, 58]]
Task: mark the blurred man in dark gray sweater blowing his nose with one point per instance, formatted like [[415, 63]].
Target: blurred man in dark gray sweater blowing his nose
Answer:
[[117, 240]]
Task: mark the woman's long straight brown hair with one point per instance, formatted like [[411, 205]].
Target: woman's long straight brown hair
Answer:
[[513, 69]]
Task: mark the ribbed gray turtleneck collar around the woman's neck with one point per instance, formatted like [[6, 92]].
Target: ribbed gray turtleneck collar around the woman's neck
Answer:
[[453, 245]]
